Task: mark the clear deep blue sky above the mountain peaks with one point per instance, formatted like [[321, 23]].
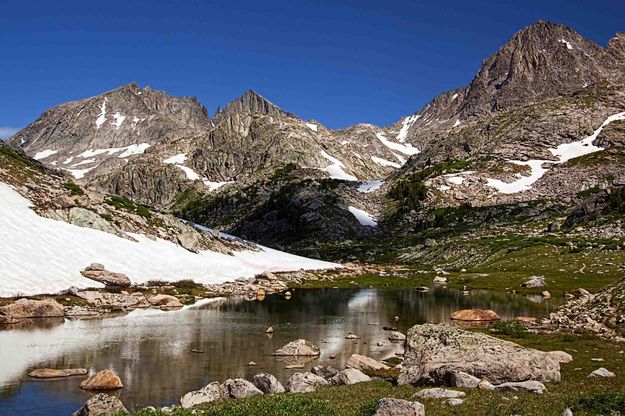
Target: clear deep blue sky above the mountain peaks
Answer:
[[339, 62]]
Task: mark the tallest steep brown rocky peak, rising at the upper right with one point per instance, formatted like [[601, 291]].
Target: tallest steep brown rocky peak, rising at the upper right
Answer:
[[541, 61]]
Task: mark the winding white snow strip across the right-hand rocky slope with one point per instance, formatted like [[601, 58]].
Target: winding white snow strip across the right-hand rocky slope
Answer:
[[564, 152]]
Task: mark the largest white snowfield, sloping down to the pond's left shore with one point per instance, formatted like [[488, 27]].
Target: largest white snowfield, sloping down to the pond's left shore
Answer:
[[40, 255]]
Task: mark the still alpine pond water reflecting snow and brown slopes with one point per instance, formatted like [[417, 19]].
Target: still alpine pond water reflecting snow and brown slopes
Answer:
[[150, 349]]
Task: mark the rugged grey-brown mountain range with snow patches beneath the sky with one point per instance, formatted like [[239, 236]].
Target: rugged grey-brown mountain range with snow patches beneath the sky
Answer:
[[542, 120]]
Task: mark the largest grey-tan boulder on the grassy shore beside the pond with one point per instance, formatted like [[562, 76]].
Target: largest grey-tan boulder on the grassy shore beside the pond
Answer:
[[435, 352]]
